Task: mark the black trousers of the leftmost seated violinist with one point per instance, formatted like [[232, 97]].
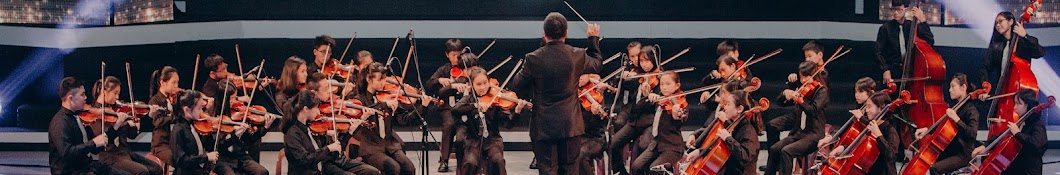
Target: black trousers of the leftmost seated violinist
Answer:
[[130, 163]]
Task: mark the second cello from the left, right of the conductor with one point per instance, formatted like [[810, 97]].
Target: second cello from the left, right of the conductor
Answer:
[[865, 147]]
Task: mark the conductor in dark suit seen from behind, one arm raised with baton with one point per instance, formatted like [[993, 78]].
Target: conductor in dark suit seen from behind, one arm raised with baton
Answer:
[[552, 74]]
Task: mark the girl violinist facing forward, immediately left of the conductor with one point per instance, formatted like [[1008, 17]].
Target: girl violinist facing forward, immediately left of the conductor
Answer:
[[479, 149]]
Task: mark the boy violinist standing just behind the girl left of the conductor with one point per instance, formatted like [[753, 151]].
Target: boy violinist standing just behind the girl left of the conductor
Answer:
[[447, 85]]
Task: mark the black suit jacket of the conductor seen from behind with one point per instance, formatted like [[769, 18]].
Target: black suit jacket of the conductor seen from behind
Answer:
[[552, 75]]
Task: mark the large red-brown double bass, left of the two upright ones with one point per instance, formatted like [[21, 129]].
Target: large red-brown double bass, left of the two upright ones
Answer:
[[924, 64]]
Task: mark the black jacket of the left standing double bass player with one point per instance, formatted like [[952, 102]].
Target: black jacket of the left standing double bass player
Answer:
[[889, 51]]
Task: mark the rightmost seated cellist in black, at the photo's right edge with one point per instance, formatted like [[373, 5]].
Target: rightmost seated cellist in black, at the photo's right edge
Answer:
[[1030, 133]]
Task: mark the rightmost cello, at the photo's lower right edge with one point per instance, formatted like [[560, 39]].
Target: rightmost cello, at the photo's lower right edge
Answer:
[[1003, 151]]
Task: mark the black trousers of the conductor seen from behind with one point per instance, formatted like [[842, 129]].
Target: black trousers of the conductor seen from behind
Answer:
[[557, 156]]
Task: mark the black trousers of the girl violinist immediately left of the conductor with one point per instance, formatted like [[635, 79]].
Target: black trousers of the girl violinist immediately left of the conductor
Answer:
[[481, 152]]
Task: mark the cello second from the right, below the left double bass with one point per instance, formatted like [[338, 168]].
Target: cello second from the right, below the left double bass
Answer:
[[939, 138]]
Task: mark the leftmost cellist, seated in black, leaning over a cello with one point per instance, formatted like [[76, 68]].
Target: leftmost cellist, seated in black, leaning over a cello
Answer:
[[743, 141]]
